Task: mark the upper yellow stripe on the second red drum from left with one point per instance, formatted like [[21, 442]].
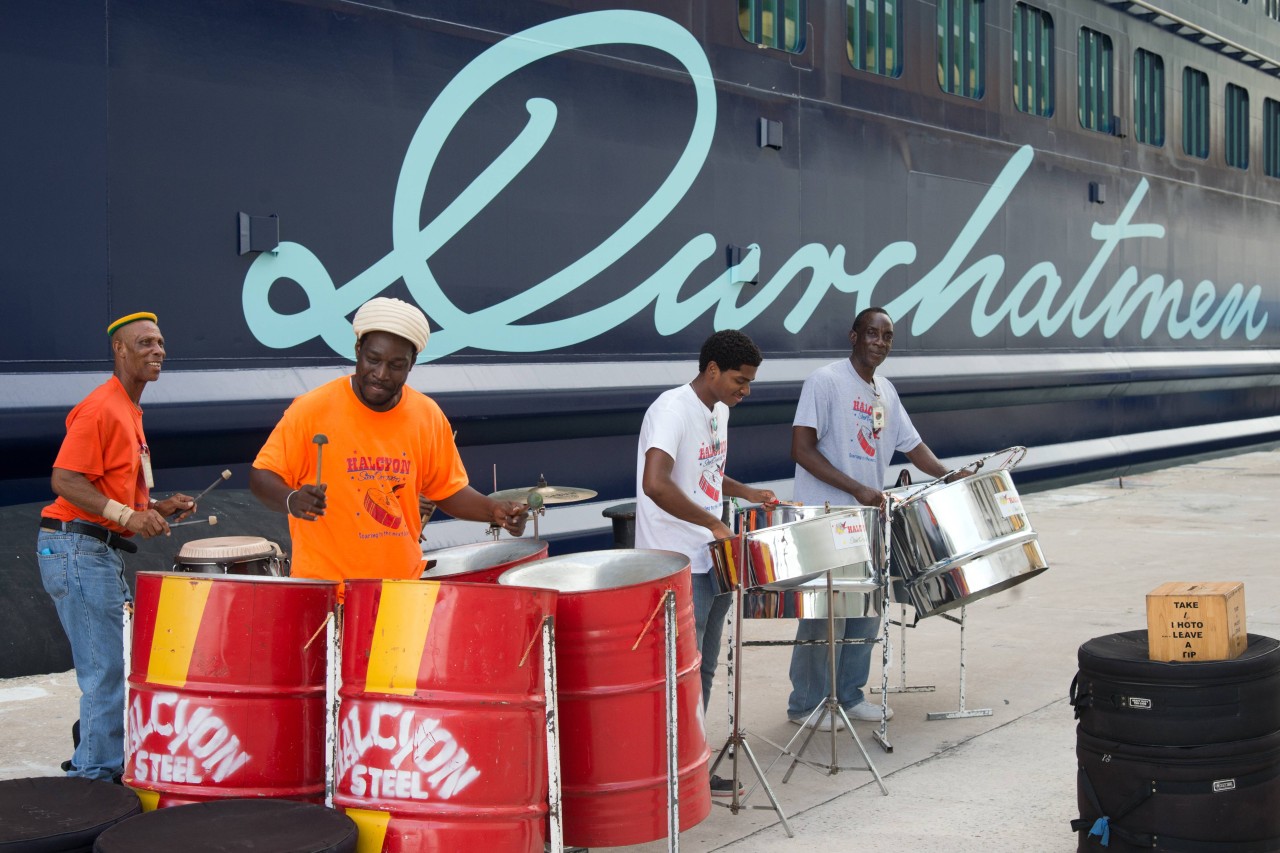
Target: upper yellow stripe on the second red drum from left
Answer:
[[400, 633]]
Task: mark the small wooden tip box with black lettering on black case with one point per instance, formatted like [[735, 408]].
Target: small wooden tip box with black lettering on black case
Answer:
[[1196, 622]]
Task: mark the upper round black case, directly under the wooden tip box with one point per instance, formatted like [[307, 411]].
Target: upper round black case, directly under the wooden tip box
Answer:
[[1121, 695]]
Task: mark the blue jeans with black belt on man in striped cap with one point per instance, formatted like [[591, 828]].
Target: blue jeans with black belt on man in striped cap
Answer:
[[86, 582]]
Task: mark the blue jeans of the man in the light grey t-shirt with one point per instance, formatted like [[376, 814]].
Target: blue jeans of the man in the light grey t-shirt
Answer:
[[811, 670]]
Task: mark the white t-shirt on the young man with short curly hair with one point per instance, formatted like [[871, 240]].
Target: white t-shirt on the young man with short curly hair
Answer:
[[697, 440]]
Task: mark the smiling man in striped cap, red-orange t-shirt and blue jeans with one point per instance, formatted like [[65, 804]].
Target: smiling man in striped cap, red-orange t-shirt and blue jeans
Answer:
[[103, 481]]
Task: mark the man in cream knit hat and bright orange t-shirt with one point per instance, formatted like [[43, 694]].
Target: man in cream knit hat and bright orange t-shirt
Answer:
[[385, 446]]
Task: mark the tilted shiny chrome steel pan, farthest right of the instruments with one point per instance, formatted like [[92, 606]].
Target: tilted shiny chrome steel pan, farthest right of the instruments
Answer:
[[963, 542]]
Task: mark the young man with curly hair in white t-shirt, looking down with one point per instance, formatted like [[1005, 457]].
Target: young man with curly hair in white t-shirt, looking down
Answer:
[[682, 482]]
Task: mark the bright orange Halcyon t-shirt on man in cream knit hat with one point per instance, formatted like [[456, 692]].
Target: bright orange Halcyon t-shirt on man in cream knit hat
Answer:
[[376, 466]]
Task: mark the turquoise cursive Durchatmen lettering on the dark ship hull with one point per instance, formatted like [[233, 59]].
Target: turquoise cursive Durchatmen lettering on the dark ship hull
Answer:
[[1036, 303]]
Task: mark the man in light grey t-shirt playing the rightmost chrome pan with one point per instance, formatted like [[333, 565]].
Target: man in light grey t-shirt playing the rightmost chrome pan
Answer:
[[848, 426]]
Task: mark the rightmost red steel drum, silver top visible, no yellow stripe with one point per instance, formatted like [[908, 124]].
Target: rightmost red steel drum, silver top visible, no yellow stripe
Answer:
[[612, 697]]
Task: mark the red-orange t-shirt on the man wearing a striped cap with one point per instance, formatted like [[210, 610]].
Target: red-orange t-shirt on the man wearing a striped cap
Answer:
[[104, 443]]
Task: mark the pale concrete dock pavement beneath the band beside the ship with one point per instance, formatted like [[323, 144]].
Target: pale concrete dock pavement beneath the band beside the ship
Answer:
[[995, 783]]
